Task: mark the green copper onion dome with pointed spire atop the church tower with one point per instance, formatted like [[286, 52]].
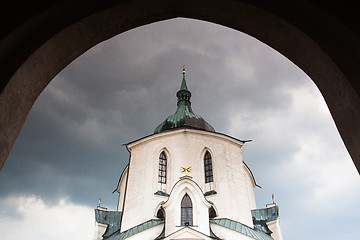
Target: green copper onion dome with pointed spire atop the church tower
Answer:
[[184, 117]]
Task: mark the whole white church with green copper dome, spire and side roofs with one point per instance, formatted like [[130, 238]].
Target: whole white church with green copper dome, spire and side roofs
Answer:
[[187, 181]]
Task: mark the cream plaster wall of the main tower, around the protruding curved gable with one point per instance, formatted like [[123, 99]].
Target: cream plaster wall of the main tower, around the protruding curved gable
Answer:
[[186, 146]]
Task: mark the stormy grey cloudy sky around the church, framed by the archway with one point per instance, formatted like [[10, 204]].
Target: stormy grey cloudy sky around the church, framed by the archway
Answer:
[[70, 151]]
